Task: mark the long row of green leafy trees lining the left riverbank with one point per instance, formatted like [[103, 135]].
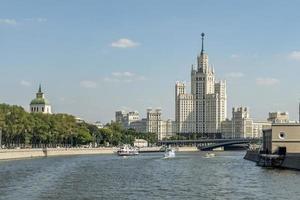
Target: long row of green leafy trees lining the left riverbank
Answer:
[[23, 129]]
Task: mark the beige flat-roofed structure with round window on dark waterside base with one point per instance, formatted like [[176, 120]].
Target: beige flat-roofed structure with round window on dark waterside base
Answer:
[[280, 147]]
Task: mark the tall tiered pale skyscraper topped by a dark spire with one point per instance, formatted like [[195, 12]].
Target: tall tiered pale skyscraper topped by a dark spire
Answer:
[[205, 108]]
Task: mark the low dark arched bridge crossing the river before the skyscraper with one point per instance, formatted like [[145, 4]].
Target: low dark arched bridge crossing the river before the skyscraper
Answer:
[[209, 144]]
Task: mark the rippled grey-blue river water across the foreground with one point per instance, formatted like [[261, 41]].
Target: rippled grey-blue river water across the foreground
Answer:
[[147, 176]]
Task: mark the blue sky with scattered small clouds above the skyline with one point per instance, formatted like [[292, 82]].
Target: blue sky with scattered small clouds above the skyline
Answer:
[[95, 57]]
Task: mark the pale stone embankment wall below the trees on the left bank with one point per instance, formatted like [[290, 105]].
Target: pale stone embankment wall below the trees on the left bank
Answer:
[[8, 154]]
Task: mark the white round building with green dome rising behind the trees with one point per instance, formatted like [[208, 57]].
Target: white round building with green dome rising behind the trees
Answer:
[[40, 104]]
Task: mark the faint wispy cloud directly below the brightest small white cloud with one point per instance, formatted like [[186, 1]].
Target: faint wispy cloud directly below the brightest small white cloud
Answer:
[[124, 77]]
